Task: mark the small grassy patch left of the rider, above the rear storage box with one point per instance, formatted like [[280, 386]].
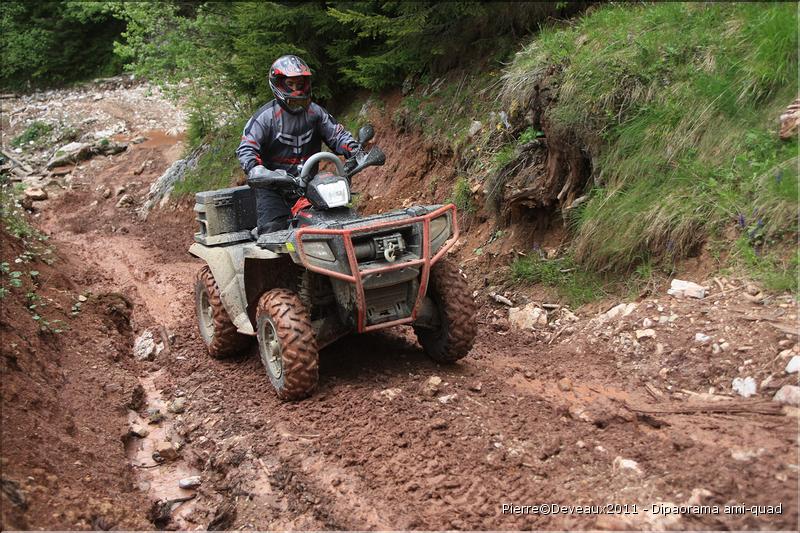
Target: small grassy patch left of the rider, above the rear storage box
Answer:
[[218, 166]]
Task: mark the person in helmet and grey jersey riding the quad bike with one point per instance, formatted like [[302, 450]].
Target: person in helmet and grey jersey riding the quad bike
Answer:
[[283, 134]]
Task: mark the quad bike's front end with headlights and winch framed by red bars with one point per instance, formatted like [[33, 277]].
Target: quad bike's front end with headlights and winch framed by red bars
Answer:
[[383, 262]]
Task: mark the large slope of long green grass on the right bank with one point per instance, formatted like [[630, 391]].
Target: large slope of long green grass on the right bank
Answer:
[[678, 104]]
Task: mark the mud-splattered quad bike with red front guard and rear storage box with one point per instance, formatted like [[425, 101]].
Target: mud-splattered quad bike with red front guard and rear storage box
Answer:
[[330, 273]]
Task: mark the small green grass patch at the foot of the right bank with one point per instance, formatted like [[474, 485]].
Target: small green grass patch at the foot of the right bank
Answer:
[[574, 285]]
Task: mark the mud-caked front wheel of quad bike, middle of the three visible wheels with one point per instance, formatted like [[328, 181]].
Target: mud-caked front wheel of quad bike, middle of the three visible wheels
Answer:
[[287, 344]]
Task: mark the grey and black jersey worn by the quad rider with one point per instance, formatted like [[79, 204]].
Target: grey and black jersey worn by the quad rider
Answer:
[[277, 139]]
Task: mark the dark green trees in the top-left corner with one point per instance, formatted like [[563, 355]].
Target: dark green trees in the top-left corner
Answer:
[[56, 42]]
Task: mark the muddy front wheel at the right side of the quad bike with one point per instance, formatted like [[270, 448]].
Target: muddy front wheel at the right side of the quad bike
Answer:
[[452, 339]]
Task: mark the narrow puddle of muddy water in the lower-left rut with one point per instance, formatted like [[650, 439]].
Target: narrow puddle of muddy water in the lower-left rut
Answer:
[[159, 482]]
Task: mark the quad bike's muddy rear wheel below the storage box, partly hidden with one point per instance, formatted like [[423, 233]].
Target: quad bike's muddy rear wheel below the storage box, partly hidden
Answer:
[[216, 328]]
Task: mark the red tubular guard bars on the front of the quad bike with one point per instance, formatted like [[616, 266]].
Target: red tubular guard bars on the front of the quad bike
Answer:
[[357, 274]]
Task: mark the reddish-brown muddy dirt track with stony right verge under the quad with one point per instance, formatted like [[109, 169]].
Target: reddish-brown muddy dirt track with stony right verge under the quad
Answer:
[[584, 414]]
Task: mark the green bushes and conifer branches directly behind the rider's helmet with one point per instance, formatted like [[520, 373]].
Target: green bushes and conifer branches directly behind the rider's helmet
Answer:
[[224, 49]]
